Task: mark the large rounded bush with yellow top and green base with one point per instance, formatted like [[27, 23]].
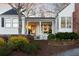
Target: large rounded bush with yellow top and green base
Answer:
[[17, 42]]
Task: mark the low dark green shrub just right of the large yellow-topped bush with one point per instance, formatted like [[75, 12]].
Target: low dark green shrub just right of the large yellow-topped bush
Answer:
[[31, 48]]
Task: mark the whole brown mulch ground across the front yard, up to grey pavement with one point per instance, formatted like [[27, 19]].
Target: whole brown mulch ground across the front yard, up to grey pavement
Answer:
[[50, 48]]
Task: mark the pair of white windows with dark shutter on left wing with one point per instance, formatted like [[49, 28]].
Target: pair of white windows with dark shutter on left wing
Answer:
[[6, 22]]
